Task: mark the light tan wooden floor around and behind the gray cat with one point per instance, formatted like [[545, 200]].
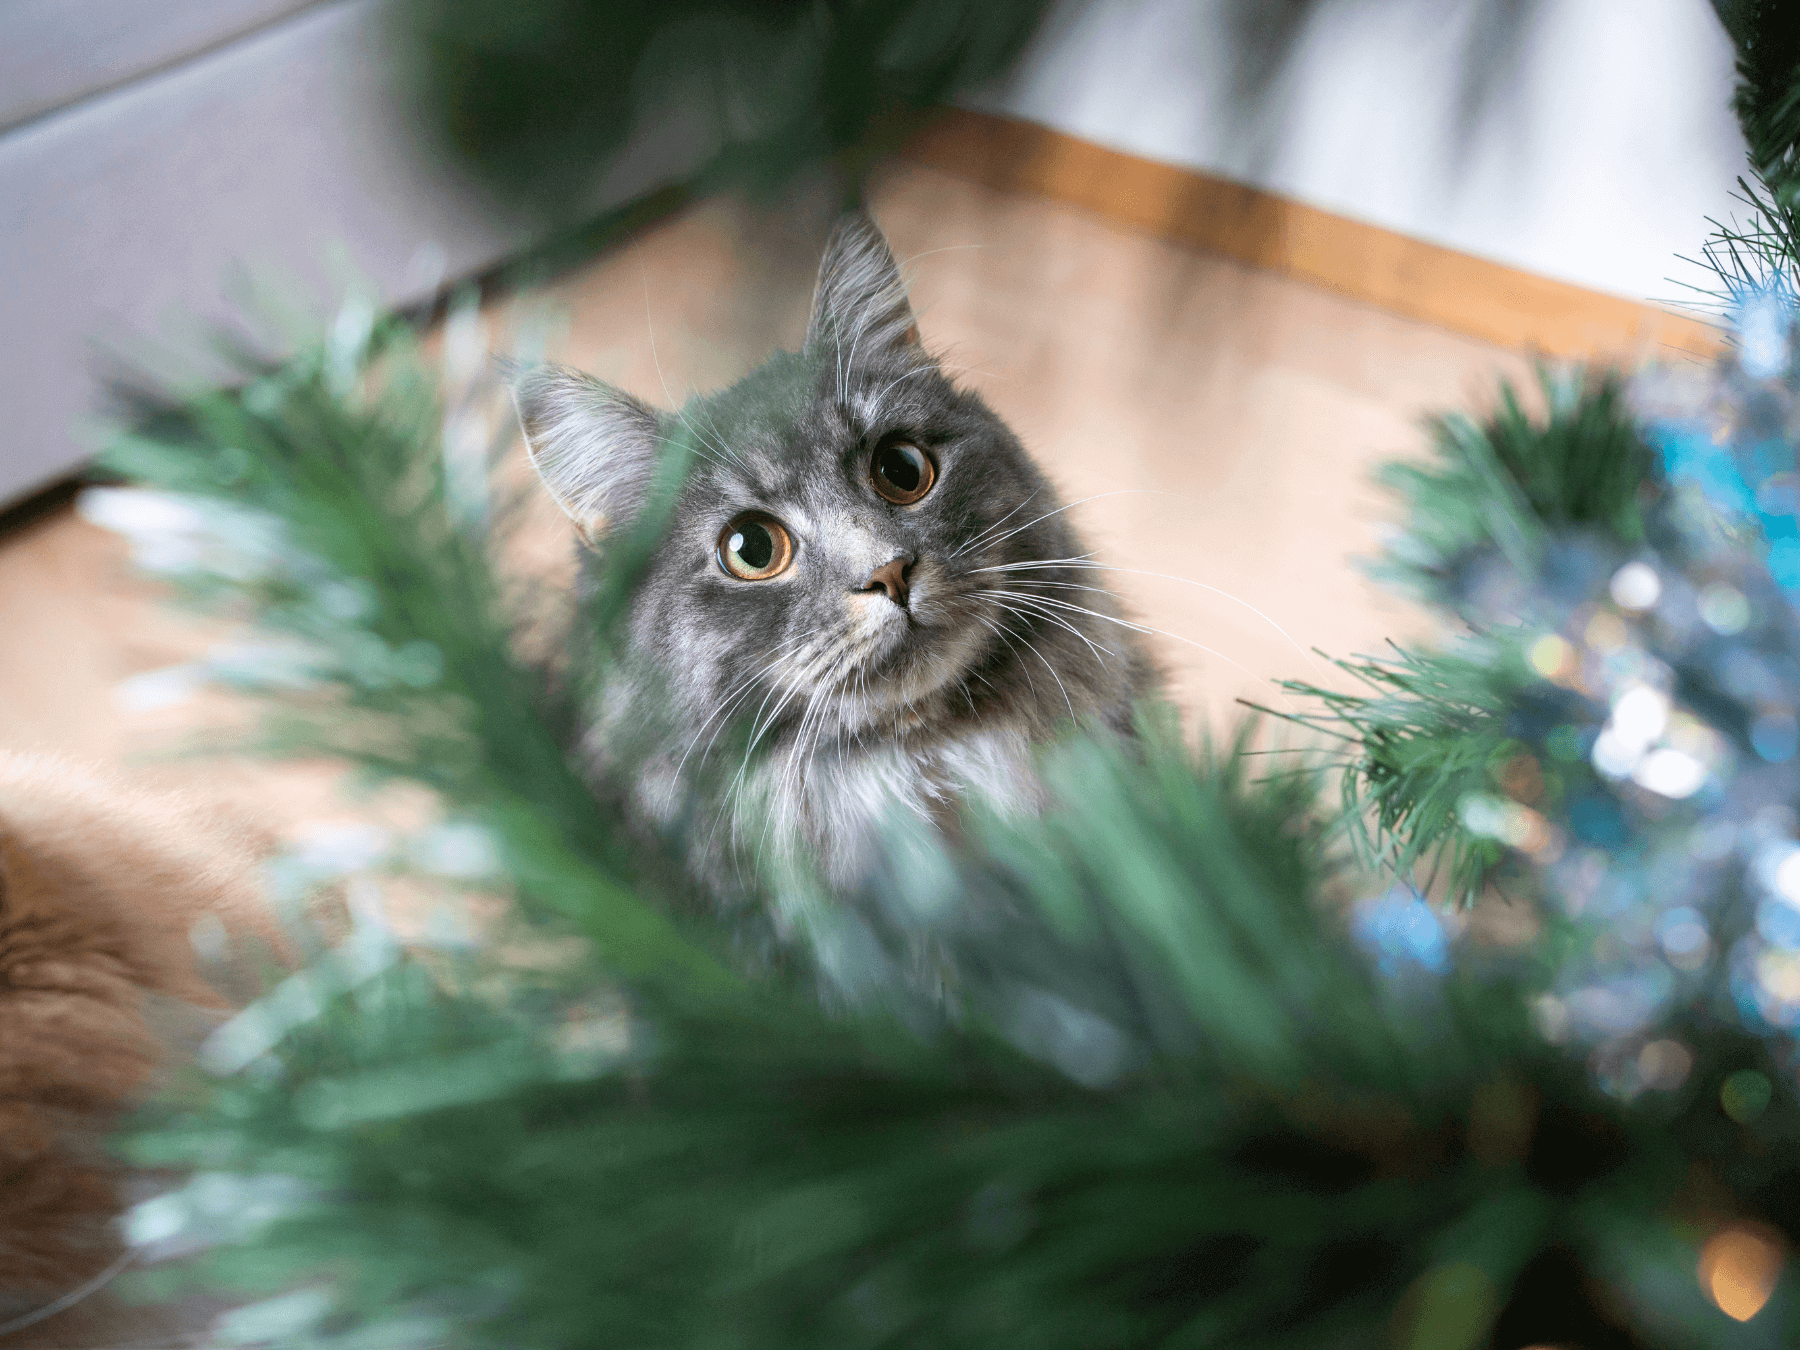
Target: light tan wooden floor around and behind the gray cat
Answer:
[[1218, 424]]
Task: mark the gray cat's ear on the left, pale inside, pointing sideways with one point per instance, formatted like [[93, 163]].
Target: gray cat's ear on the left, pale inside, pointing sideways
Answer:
[[593, 445]]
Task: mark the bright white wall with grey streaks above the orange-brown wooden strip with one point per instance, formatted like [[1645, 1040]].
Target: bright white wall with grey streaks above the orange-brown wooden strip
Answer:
[[1590, 148]]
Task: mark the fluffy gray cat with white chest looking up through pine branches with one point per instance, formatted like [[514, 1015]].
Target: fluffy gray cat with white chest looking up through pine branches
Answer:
[[863, 568]]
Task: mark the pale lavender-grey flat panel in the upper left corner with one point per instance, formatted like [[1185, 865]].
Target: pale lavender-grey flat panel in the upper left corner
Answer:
[[127, 210]]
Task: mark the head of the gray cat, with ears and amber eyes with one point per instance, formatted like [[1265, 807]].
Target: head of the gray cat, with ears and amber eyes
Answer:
[[843, 525]]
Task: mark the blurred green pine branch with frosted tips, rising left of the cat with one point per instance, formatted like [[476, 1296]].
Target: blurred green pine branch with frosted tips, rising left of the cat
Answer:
[[345, 537]]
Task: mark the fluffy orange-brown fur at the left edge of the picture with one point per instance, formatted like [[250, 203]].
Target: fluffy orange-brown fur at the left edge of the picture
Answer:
[[100, 890]]
